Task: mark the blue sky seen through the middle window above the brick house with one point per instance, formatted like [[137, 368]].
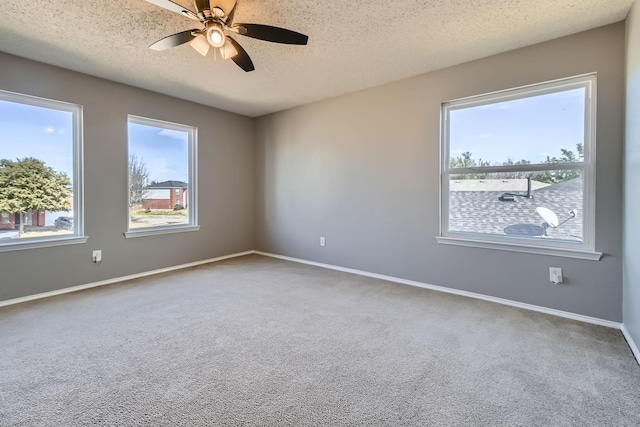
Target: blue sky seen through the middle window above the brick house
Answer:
[[164, 151]]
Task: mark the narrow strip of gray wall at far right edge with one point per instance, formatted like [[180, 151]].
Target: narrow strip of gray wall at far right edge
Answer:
[[631, 246]]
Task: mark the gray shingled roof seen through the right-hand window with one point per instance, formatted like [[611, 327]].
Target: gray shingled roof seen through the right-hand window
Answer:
[[483, 212]]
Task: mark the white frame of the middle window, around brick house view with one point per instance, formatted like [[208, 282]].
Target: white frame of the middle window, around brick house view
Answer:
[[193, 225]]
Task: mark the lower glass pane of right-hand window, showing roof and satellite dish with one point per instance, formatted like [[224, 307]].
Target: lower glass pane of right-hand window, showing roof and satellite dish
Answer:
[[540, 208]]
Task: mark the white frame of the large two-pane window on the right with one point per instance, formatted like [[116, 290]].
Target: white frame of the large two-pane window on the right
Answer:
[[582, 250]]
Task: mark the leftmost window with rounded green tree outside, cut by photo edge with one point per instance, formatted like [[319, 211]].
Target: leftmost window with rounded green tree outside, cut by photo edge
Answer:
[[40, 172]]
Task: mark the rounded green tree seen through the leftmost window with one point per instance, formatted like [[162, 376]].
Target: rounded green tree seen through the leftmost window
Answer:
[[28, 184]]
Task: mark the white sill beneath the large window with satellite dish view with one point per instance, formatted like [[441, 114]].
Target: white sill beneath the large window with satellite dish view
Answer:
[[514, 247]]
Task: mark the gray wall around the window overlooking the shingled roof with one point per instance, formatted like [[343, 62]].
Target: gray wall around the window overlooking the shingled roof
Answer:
[[362, 170]]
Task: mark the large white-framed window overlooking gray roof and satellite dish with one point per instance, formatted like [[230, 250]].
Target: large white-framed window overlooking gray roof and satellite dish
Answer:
[[518, 169]]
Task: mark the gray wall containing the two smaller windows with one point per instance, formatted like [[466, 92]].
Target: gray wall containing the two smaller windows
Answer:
[[226, 183]]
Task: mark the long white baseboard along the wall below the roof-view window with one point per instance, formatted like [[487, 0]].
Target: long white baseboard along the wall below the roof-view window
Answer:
[[559, 313]]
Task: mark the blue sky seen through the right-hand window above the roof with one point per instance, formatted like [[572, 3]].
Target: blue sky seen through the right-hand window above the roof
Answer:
[[522, 129]]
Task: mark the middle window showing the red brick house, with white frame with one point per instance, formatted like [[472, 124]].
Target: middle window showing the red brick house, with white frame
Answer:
[[162, 177]]
